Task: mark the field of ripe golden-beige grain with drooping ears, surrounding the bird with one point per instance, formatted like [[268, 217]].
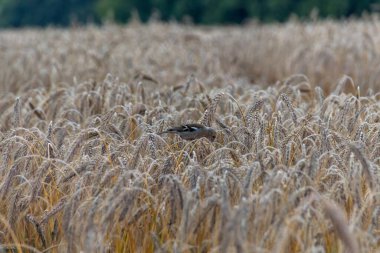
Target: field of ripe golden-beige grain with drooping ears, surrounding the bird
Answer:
[[295, 166]]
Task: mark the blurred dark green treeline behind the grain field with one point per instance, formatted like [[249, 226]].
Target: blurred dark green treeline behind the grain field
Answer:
[[19, 13]]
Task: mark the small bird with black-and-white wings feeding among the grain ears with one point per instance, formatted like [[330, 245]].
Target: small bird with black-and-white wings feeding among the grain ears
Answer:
[[191, 132]]
